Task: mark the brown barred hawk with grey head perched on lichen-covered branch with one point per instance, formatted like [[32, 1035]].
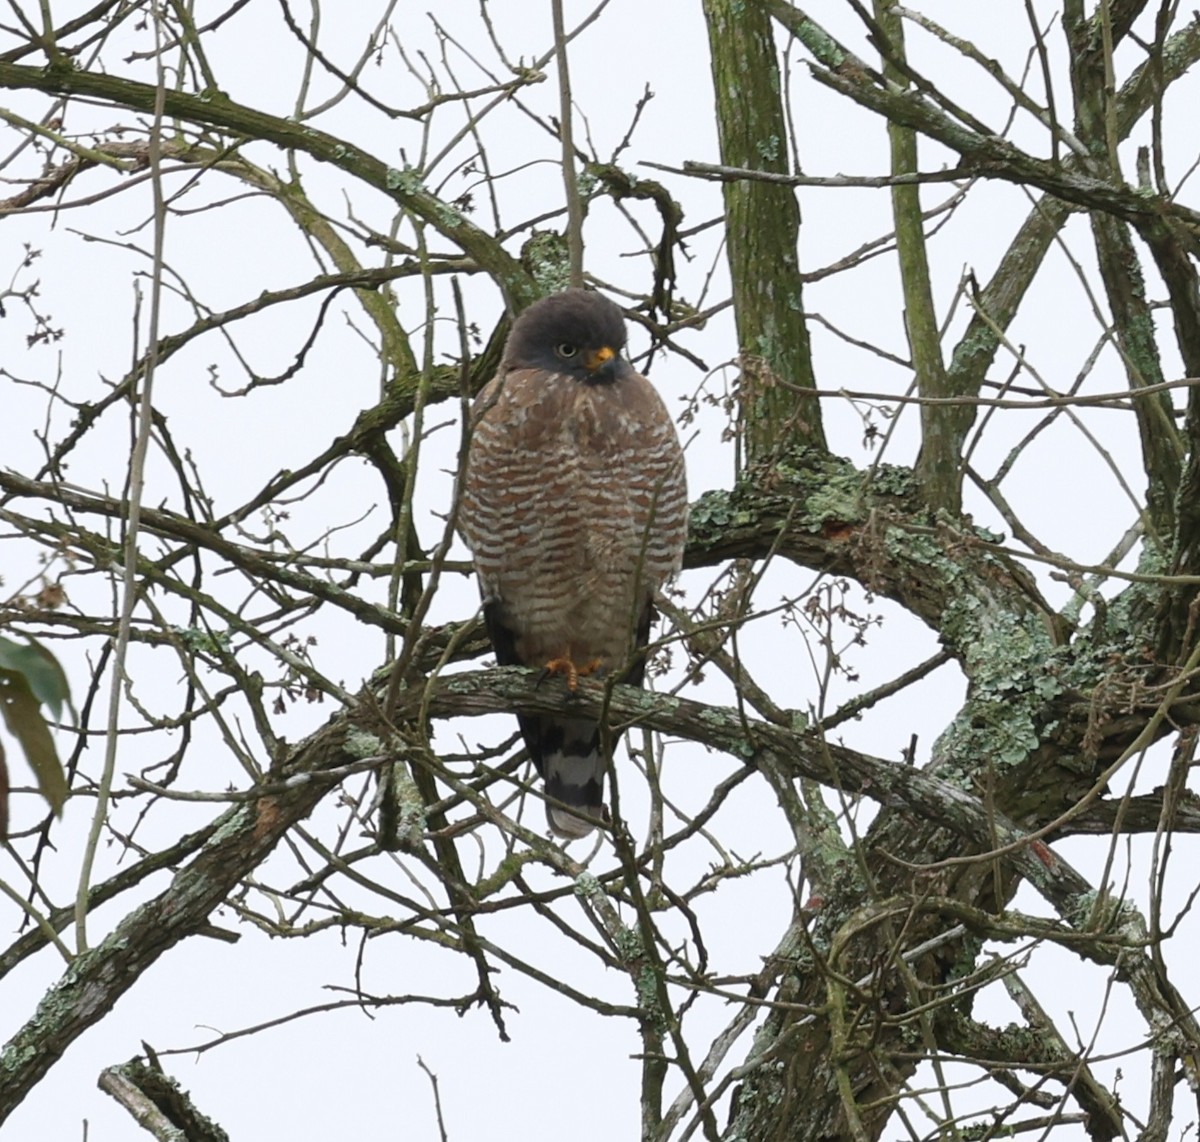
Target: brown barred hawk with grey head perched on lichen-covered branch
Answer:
[[575, 509]]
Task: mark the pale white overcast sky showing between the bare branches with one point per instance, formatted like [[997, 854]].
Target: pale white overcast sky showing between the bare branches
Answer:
[[567, 1072]]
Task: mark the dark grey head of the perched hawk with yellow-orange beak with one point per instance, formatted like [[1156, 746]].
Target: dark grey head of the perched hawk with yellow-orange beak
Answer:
[[578, 334]]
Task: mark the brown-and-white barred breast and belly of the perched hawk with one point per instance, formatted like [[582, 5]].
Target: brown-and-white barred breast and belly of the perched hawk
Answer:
[[575, 510]]
